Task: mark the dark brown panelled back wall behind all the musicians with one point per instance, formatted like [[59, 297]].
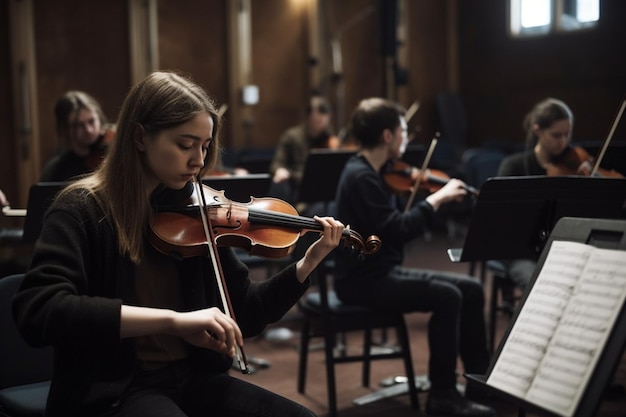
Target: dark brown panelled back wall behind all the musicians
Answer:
[[84, 45]]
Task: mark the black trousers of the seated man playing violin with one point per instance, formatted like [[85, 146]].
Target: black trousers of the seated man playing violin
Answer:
[[456, 327]]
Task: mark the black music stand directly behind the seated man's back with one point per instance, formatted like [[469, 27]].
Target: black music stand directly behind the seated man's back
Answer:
[[322, 170]]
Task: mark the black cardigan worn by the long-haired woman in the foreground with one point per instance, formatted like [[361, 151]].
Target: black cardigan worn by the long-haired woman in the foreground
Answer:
[[72, 295]]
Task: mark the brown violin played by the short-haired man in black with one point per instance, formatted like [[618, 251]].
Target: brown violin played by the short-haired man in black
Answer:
[[402, 177]]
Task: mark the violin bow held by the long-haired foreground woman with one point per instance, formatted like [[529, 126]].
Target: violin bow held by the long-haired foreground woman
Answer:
[[219, 273]]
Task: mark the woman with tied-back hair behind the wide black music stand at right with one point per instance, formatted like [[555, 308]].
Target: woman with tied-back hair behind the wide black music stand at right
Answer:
[[548, 128]]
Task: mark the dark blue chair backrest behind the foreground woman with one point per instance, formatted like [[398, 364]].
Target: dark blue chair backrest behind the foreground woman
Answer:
[[20, 364]]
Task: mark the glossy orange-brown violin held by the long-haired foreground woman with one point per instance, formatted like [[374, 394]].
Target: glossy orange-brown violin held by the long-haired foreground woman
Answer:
[[267, 227]]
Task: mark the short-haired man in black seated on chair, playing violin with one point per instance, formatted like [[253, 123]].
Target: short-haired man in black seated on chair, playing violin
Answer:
[[380, 281]]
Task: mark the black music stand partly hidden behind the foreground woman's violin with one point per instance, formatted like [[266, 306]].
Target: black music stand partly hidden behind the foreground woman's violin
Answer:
[[240, 187]]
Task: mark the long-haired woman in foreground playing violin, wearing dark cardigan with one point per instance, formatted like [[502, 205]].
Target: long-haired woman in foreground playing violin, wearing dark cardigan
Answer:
[[137, 332]]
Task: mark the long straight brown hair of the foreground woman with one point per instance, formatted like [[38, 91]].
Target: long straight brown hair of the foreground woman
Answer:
[[163, 100]]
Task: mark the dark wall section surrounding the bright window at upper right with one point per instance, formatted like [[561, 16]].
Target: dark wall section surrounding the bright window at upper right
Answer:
[[502, 77]]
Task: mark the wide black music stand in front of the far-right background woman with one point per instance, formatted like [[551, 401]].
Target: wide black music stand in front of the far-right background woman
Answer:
[[514, 216]]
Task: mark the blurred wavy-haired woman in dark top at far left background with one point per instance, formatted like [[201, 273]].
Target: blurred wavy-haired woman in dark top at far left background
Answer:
[[83, 127]]
